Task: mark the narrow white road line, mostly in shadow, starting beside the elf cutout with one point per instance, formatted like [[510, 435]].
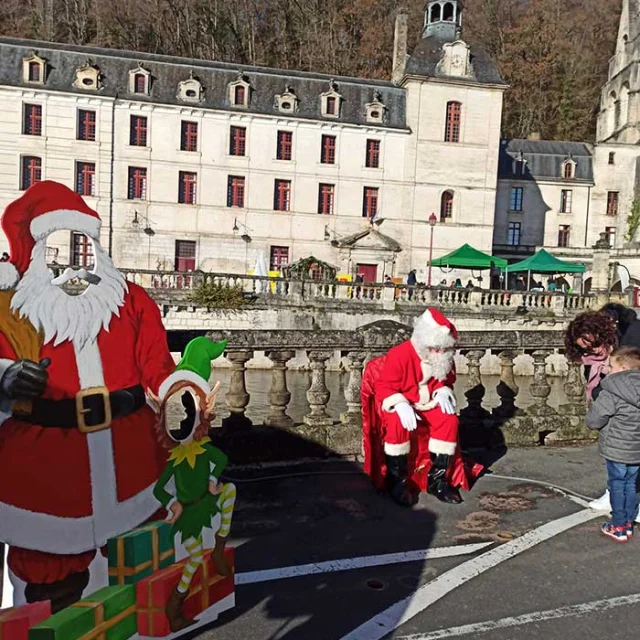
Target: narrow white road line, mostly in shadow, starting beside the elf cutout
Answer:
[[252, 577]]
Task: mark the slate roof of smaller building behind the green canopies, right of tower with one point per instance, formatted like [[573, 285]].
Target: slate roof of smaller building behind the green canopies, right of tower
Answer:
[[544, 159]]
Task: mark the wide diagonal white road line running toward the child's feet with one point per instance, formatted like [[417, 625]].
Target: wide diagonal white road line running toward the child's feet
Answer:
[[402, 611]]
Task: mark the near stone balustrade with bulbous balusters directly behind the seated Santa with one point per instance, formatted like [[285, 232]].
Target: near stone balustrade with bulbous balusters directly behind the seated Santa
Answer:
[[509, 422]]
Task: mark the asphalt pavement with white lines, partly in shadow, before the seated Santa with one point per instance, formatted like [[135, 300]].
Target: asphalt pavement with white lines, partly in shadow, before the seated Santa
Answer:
[[320, 555]]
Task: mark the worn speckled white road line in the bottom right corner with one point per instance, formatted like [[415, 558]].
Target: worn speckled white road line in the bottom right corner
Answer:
[[573, 611]]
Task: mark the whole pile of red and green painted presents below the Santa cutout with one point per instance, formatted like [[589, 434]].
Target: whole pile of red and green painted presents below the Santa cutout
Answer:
[[142, 575]]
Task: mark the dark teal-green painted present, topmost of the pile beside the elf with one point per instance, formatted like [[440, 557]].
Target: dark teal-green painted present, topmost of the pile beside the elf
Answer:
[[137, 554]]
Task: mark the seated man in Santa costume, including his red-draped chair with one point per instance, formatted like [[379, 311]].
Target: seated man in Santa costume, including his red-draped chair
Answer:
[[409, 416]]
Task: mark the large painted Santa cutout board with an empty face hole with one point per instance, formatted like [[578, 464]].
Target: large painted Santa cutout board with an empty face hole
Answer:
[[78, 454]]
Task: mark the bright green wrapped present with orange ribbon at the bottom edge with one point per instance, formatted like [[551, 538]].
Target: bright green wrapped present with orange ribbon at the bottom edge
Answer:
[[108, 614]]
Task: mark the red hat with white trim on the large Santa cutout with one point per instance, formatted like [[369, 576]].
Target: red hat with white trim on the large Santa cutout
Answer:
[[42, 209]]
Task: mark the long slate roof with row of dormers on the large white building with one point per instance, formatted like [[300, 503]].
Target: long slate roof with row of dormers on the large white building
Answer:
[[168, 71]]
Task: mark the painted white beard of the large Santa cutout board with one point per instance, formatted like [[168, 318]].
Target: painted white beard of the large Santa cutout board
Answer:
[[61, 316]]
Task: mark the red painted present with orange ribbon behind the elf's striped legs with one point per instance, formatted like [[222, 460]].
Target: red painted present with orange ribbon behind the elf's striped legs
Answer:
[[207, 588]]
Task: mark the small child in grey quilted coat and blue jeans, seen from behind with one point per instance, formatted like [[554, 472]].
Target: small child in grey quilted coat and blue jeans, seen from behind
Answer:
[[616, 412]]
